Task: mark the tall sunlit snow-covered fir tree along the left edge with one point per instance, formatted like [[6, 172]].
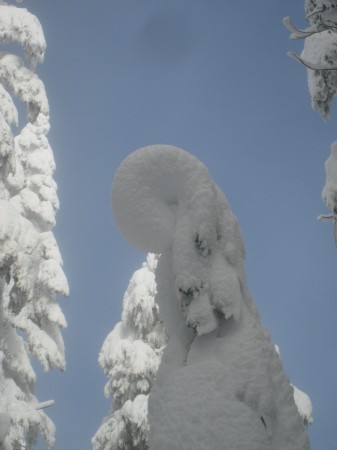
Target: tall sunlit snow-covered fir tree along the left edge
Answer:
[[31, 272]]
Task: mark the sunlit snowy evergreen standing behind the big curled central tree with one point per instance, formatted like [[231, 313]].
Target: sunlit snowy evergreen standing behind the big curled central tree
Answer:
[[130, 357]]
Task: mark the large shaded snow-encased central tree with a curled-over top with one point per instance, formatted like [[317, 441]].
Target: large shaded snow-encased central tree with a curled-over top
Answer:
[[220, 384]]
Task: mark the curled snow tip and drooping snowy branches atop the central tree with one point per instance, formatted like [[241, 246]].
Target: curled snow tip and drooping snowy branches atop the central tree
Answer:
[[163, 198]]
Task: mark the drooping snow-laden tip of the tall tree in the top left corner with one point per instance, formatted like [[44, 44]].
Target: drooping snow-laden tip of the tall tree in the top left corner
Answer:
[[19, 25]]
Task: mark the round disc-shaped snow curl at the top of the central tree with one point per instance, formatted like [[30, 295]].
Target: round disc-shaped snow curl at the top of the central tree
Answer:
[[148, 188]]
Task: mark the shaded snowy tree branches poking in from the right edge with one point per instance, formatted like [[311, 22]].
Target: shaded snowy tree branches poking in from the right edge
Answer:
[[320, 57]]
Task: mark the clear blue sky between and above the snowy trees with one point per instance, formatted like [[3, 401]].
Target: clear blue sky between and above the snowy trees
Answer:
[[213, 78]]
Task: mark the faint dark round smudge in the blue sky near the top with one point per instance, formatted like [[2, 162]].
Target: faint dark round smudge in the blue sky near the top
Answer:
[[166, 37]]
